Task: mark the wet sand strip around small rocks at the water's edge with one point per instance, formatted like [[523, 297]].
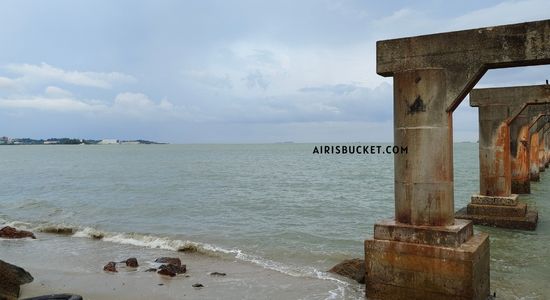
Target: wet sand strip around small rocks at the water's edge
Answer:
[[67, 264]]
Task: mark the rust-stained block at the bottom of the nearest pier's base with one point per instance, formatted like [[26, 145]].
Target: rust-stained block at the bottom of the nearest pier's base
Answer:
[[420, 271]]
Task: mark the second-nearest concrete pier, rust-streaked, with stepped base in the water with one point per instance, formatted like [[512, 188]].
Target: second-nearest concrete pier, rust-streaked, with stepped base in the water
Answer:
[[495, 205]]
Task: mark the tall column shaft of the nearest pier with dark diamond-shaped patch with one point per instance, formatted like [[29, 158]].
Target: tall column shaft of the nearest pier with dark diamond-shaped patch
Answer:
[[424, 177]]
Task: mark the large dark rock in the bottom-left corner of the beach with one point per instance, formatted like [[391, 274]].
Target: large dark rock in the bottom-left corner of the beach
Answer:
[[11, 277]]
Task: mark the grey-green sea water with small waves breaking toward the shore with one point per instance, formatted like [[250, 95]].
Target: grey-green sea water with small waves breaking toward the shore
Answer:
[[274, 205]]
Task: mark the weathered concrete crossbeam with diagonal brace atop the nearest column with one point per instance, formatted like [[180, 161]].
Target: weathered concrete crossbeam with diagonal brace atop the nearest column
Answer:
[[466, 55]]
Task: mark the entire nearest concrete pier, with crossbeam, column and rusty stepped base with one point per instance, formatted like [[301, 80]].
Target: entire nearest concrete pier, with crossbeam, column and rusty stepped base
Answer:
[[424, 252]]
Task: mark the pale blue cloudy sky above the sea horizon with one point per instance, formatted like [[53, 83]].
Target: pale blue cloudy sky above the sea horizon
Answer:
[[241, 71]]
